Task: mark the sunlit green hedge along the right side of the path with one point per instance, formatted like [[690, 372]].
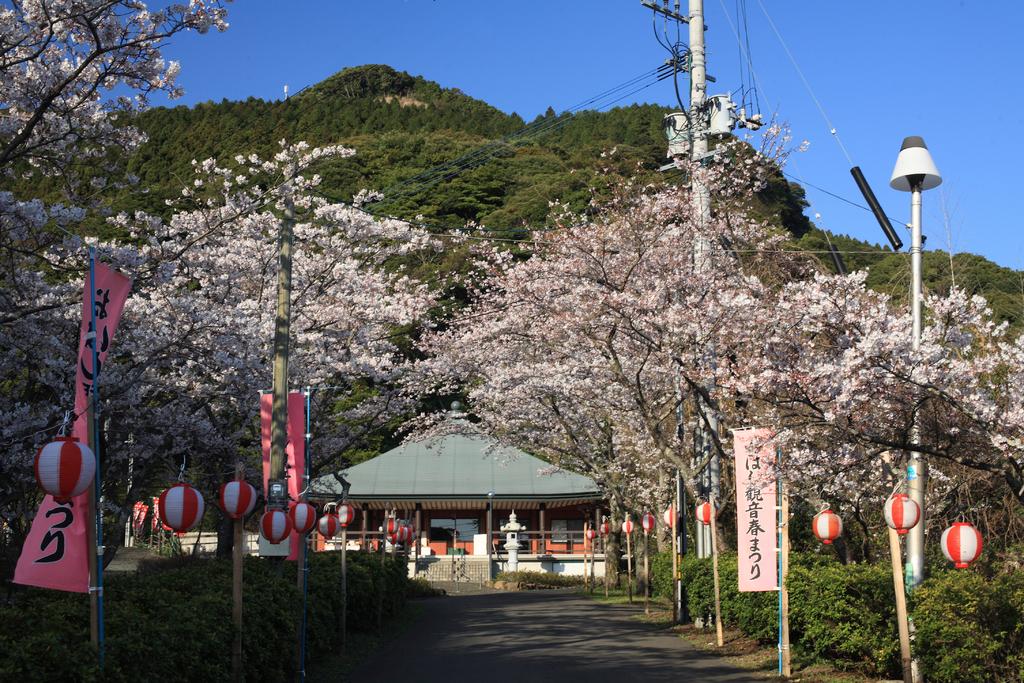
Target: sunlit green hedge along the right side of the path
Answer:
[[971, 628]]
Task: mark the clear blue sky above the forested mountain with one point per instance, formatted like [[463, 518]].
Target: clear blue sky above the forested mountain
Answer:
[[942, 69]]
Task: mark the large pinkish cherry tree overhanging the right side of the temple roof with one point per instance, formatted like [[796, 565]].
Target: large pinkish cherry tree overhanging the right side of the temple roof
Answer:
[[585, 353]]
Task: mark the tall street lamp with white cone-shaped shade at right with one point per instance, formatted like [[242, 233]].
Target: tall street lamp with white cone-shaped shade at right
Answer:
[[916, 173]]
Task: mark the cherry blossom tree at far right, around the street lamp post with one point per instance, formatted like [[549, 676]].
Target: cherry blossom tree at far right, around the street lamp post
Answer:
[[837, 372]]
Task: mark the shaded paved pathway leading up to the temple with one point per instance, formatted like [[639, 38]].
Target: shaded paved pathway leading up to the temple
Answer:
[[537, 637]]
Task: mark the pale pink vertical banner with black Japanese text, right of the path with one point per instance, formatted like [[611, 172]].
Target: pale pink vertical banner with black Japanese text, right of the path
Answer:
[[757, 528]]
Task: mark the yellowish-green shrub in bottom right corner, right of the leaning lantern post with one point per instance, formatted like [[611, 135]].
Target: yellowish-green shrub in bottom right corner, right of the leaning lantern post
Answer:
[[972, 627]]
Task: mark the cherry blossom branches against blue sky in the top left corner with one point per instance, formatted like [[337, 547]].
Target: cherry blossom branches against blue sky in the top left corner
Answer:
[[62, 62]]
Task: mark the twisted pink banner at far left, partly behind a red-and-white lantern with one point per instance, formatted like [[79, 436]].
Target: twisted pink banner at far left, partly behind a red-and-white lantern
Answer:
[[55, 554]]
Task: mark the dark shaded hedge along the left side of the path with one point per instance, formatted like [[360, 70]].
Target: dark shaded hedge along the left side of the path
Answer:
[[176, 624]]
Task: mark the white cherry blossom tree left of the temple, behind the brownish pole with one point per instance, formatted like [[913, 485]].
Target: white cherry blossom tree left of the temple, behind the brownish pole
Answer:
[[194, 347]]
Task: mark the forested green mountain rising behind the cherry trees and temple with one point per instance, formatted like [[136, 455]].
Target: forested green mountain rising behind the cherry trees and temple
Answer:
[[505, 173]]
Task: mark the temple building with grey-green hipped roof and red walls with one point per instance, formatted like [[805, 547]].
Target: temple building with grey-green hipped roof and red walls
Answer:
[[456, 492]]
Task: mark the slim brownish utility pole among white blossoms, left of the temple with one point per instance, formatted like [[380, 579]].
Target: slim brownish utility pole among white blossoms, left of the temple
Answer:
[[278, 493]]
